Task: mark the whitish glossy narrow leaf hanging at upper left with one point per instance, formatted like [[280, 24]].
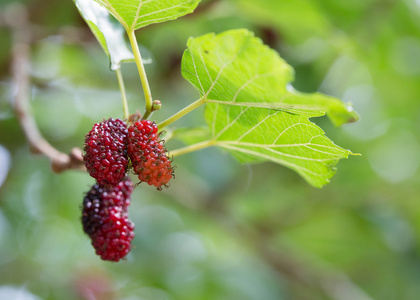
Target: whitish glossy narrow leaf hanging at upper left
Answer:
[[107, 31]]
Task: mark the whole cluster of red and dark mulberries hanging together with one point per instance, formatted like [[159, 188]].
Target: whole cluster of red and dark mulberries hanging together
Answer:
[[111, 149]]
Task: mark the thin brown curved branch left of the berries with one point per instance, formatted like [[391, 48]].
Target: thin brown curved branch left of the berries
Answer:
[[18, 22]]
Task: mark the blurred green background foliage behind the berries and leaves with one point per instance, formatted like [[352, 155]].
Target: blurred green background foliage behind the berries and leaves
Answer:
[[222, 231]]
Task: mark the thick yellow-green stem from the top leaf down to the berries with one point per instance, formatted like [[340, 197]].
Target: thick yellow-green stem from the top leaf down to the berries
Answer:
[[142, 73]]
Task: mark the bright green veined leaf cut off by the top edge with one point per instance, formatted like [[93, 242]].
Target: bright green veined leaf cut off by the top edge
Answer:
[[134, 14]]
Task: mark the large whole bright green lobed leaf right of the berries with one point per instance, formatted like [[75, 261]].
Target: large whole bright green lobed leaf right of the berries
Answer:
[[253, 113]]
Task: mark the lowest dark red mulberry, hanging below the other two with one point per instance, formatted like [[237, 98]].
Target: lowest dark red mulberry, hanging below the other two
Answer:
[[105, 219]]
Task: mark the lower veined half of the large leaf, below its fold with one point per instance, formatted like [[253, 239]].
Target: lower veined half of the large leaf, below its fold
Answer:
[[255, 135]]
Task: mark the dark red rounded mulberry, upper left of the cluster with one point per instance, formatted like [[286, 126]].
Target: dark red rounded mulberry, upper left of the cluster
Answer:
[[106, 152]]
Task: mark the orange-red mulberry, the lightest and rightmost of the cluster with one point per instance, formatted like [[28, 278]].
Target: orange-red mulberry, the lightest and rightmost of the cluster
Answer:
[[148, 154]]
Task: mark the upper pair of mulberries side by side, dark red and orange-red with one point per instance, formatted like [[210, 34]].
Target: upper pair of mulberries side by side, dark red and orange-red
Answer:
[[110, 145]]
